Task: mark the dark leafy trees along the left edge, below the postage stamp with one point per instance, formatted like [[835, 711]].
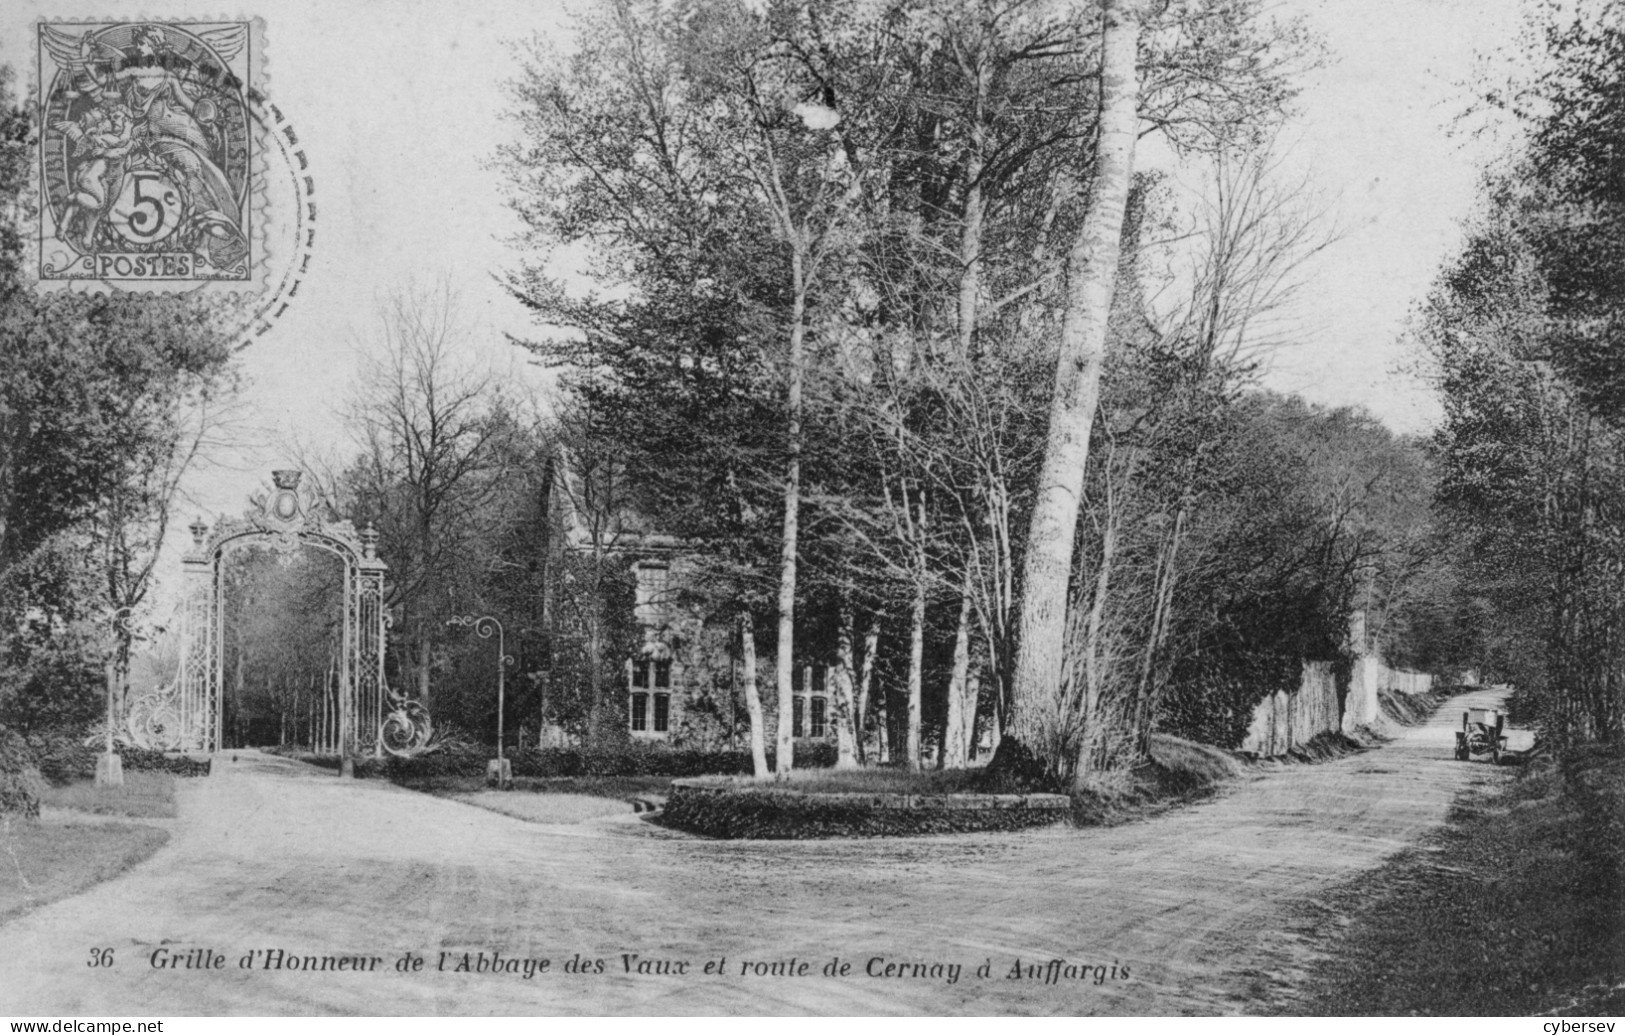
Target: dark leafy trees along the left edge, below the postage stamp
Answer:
[[105, 401]]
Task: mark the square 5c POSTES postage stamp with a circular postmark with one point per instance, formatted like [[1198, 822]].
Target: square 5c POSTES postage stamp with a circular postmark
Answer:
[[150, 155]]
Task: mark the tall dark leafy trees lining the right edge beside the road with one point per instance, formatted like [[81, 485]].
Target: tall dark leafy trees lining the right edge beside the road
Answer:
[[1523, 331]]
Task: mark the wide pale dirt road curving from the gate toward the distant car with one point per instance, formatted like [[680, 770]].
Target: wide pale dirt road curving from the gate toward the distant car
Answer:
[[1171, 916]]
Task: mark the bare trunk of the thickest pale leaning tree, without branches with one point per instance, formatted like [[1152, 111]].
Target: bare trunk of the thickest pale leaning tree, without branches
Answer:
[[1038, 709]]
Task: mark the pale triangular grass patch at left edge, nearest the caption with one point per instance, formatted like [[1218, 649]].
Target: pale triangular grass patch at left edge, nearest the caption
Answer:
[[41, 864]]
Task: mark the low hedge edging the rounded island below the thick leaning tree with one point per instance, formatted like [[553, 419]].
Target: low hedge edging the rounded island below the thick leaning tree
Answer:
[[774, 815]]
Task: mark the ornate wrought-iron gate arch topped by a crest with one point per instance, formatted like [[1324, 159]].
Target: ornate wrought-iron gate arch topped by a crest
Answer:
[[189, 716]]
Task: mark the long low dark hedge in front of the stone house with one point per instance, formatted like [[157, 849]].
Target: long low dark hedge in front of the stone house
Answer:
[[462, 760]]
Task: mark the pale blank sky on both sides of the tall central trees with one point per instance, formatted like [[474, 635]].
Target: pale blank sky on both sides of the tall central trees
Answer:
[[399, 110]]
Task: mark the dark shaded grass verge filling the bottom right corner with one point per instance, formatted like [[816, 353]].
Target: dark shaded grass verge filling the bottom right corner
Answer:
[[1514, 909]]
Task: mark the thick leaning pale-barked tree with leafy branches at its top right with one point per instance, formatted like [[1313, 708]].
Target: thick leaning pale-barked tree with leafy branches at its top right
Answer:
[[1203, 76]]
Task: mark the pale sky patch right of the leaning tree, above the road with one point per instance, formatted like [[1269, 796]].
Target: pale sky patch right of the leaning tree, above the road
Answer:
[[1376, 137]]
